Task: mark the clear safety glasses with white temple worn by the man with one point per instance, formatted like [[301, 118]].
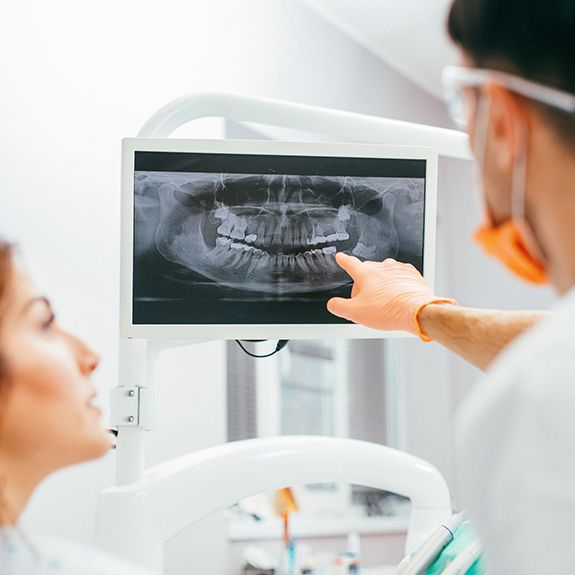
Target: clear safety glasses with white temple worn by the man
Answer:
[[456, 78]]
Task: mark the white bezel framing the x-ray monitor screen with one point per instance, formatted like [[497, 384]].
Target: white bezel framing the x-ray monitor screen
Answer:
[[261, 331]]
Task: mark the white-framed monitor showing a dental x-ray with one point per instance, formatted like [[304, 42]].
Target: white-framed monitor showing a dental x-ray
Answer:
[[232, 239]]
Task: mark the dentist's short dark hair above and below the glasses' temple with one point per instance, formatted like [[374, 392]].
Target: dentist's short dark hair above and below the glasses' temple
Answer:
[[534, 39]]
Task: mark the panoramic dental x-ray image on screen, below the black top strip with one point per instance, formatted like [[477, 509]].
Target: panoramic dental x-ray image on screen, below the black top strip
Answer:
[[207, 245]]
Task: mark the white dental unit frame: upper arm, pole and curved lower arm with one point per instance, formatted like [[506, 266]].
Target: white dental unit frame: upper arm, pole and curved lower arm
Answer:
[[147, 507]]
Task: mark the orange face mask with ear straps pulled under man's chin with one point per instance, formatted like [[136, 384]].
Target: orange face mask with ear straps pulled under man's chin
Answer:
[[511, 242]]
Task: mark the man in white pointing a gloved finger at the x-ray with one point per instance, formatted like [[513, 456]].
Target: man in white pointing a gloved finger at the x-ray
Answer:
[[515, 92]]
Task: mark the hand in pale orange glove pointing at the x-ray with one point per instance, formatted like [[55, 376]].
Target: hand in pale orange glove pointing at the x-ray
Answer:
[[386, 295]]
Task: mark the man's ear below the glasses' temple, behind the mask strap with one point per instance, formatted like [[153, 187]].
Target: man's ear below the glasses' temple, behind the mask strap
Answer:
[[508, 121]]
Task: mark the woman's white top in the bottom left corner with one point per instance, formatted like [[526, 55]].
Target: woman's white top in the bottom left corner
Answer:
[[21, 555]]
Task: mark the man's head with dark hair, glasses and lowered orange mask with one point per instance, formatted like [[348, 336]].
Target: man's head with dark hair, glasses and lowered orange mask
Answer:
[[524, 141]]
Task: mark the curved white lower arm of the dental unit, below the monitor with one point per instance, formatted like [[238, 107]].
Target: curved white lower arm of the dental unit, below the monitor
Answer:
[[136, 519]]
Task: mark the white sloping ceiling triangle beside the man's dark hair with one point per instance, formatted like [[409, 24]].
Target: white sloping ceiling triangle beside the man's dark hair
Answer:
[[409, 35]]
